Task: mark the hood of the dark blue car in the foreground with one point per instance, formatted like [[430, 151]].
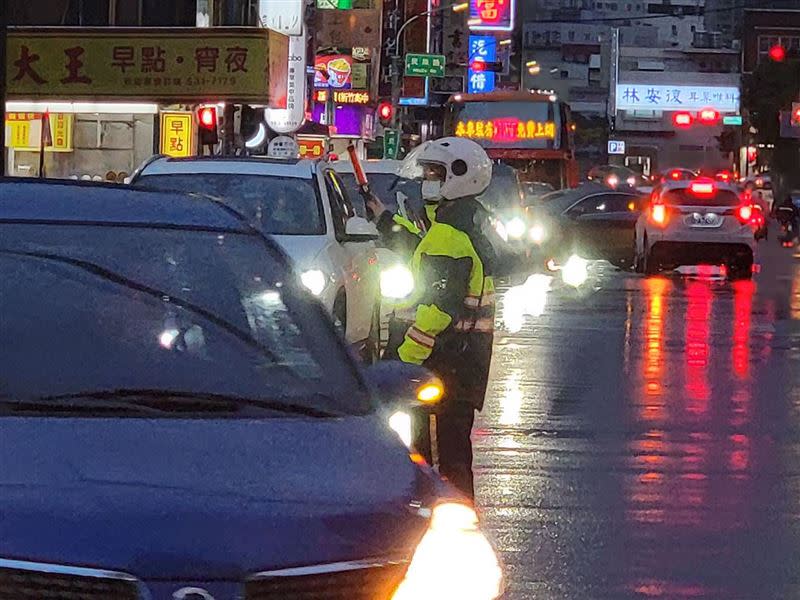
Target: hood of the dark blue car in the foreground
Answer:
[[178, 499]]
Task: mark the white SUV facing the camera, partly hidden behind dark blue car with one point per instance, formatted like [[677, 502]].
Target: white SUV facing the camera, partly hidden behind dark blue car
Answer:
[[305, 208]]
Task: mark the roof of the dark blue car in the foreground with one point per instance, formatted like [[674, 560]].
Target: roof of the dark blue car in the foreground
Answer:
[[66, 201]]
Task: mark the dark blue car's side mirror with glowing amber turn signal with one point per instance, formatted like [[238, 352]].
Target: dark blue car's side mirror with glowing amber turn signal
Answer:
[[399, 385]]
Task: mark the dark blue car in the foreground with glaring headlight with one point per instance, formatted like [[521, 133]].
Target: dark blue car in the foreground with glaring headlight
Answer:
[[178, 420]]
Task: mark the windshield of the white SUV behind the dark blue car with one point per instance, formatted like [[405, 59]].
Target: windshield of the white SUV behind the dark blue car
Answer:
[[275, 205]]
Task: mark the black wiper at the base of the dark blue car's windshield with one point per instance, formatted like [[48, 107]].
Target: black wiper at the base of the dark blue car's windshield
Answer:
[[177, 401]]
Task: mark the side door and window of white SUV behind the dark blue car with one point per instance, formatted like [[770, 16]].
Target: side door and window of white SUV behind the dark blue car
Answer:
[[360, 270]]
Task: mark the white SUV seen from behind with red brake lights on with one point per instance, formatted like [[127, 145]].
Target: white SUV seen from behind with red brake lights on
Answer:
[[699, 221]]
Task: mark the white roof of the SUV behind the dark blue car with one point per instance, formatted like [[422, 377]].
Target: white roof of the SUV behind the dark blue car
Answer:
[[239, 165]]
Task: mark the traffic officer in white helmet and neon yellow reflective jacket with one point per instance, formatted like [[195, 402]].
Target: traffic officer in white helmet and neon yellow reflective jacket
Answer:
[[453, 308]]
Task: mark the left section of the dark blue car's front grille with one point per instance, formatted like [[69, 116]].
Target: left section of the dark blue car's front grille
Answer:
[[30, 584]]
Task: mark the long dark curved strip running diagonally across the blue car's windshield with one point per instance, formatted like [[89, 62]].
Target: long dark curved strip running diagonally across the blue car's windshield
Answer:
[[126, 282]]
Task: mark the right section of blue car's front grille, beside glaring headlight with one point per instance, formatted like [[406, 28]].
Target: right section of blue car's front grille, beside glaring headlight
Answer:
[[376, 581]]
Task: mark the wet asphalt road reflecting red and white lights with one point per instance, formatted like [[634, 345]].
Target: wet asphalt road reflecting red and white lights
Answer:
[[642, 440]]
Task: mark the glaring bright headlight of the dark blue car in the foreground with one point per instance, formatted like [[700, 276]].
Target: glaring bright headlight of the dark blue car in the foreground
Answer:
[[453, 560]]
